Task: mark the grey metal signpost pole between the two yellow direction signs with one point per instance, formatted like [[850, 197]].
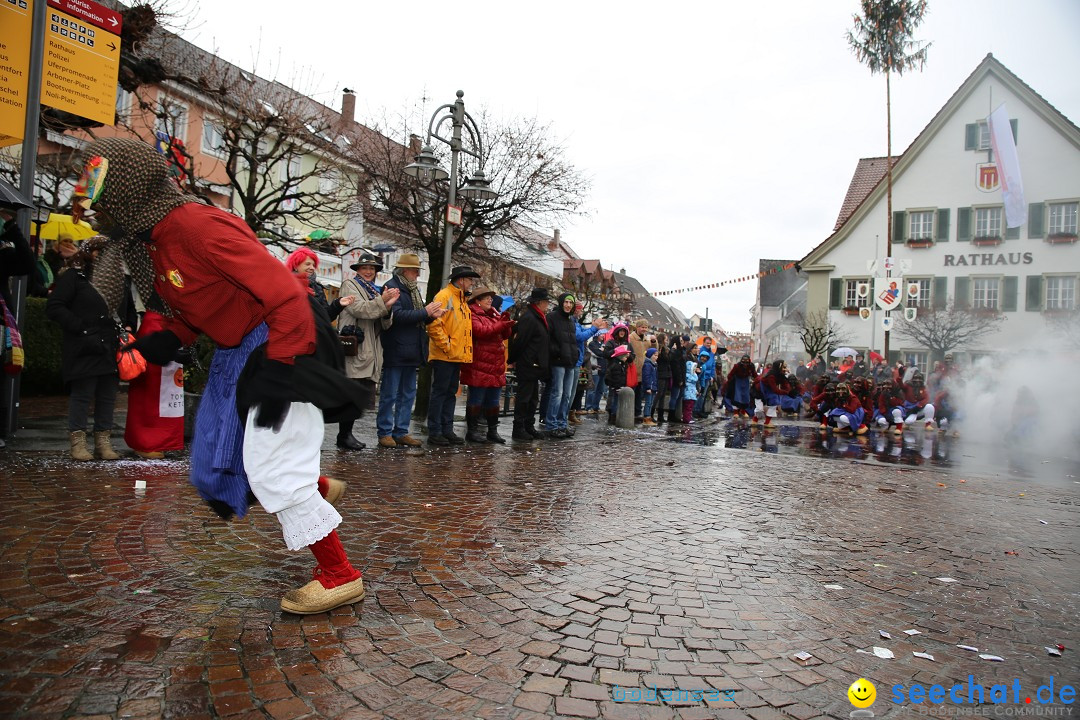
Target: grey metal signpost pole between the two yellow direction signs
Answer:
[[26, 186]]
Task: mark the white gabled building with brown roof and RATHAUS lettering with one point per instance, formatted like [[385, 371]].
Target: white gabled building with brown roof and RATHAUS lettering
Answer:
[[950, 229]]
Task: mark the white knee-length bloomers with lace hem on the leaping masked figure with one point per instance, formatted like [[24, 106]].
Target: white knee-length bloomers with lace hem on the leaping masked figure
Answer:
[[282, 470]]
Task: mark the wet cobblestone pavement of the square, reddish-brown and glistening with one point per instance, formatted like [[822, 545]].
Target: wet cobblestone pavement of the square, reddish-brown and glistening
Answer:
[[546, 579]]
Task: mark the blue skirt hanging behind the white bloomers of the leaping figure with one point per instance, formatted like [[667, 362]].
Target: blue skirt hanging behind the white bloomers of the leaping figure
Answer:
[[218, 444]]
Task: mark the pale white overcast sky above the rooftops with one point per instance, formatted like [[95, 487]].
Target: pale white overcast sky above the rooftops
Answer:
[[714, 134]]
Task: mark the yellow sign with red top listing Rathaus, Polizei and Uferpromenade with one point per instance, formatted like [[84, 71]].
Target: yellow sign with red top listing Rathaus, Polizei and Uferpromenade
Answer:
[[83, 60]]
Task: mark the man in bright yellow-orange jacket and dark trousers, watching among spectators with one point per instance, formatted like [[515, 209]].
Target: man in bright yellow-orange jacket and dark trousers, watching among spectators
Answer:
[[451, 345]]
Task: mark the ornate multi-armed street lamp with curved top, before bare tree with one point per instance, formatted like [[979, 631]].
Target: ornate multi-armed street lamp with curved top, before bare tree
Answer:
[[427, 170]]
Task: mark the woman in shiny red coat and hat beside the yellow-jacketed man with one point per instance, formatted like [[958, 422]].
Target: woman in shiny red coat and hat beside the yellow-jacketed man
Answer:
[[488, 374]]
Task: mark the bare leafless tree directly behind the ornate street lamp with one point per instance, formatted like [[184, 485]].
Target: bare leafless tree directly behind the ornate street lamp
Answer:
[[536, 182]]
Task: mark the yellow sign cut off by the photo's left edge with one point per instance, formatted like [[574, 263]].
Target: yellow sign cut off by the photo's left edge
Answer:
[[17, 23]]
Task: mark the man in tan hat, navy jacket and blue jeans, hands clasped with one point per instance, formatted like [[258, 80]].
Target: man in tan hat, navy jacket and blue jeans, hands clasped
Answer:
[[404, 351]]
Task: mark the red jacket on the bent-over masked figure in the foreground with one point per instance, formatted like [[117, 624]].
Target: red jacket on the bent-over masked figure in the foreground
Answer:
[[222, 281]]
